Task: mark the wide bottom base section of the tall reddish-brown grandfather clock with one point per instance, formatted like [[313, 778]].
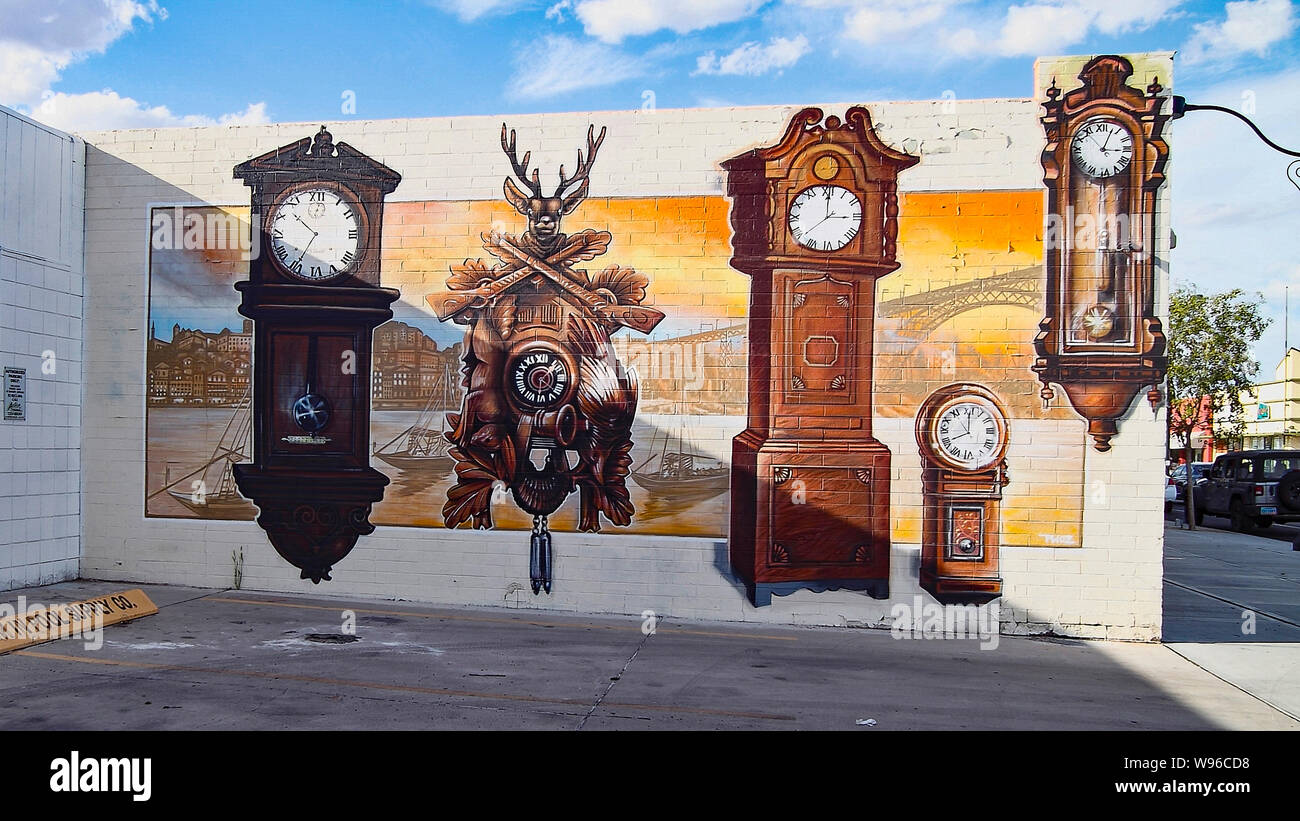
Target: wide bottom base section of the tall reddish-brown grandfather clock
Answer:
[[811, 515]]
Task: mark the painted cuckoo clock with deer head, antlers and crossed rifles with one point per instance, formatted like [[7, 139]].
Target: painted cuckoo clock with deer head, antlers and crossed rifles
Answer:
[[549, 409]]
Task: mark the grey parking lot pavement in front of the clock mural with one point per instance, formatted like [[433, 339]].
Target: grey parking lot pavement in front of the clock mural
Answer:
[[246, 661]]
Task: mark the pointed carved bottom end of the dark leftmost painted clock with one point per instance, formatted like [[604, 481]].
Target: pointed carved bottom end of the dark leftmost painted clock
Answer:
[[317, 531]]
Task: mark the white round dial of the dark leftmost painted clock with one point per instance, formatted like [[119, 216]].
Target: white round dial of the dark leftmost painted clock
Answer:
[[315, 234]]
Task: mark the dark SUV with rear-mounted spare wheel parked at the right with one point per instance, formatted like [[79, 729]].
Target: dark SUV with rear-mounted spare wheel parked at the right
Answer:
[[1254, 489]]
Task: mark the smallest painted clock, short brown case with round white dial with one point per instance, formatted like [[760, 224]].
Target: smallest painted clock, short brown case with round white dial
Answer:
[[963, 435]]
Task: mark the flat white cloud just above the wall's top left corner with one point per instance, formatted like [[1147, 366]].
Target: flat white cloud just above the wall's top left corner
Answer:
[[105, 111]]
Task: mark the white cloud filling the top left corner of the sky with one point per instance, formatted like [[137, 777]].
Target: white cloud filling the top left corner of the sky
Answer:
[[41, 38]]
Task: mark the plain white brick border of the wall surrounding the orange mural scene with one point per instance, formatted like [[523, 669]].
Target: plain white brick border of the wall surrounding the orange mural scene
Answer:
[[1110, 588]]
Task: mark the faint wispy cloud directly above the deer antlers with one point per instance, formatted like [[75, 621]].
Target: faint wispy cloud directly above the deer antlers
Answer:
[[561, 64]]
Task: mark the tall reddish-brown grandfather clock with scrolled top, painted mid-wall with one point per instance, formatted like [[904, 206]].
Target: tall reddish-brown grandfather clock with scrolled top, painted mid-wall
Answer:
[[816, 223]]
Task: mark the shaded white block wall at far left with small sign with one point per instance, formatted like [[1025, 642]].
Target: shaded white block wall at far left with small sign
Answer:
[[41, 331]]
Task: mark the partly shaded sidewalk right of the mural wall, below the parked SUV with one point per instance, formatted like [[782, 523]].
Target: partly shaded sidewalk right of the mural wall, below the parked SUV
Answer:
[[1215, 581]]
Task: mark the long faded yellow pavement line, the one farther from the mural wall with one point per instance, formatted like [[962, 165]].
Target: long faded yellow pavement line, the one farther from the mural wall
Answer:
[[346, 683]]
